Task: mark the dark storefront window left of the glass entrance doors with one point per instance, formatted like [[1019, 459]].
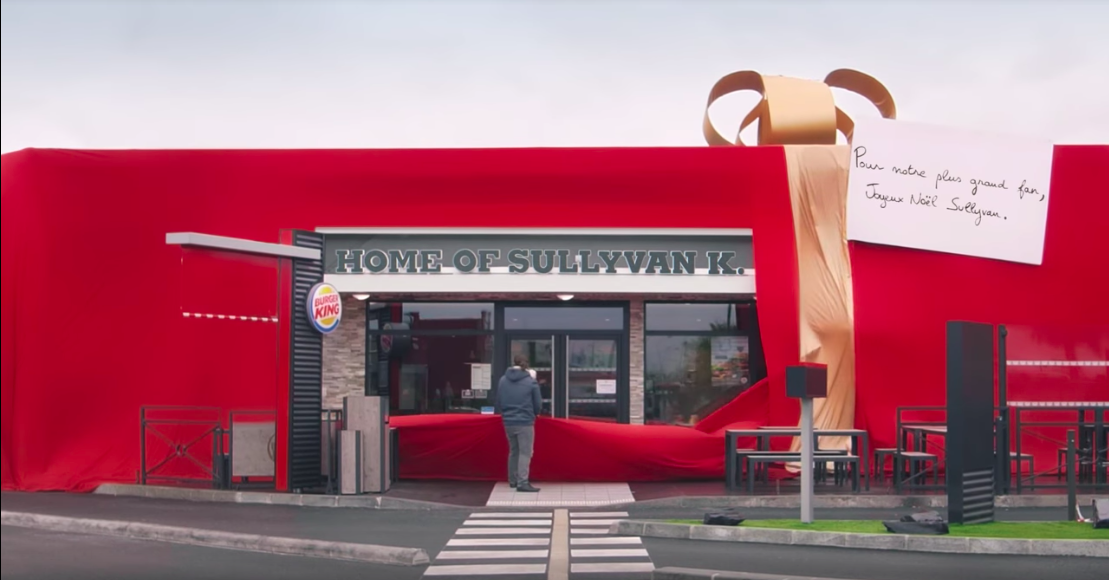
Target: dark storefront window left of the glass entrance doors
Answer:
[[432, 358]]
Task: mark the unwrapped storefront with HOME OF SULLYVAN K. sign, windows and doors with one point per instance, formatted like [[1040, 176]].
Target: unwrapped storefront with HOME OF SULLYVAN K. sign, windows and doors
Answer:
[[638, 325]]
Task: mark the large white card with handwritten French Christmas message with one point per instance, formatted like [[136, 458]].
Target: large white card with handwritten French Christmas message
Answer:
[[949, 190]]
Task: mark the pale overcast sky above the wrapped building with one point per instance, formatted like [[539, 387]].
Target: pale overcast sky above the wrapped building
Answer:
[[450, 74]]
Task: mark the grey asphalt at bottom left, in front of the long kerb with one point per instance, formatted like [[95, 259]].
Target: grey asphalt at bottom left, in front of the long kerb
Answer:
[[29, 555]]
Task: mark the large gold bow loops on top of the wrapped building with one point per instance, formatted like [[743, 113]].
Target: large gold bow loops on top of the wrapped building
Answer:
[[798, 111]]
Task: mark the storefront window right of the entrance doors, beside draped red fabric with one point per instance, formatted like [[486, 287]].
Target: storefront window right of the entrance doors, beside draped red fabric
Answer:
[[697, 359]]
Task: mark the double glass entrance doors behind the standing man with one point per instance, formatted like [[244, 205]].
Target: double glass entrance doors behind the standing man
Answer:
[[579, 377]]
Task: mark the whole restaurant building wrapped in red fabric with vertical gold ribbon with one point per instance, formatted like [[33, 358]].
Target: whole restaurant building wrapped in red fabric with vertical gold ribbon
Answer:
[[659, 293]]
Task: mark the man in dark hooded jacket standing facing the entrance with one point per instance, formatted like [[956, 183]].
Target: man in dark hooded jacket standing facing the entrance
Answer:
[[518, 403]]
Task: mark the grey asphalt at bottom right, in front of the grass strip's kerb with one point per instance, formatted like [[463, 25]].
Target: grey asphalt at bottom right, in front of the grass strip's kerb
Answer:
[[867, 565]]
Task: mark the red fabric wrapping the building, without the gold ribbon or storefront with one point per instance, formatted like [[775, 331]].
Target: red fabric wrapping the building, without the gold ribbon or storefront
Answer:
[[100, 332]]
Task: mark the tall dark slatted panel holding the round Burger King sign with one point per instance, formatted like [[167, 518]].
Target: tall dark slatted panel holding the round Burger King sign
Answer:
[[307, 378]]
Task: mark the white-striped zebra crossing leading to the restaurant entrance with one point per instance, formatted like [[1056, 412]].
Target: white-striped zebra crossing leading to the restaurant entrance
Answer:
[[554, 545]]
